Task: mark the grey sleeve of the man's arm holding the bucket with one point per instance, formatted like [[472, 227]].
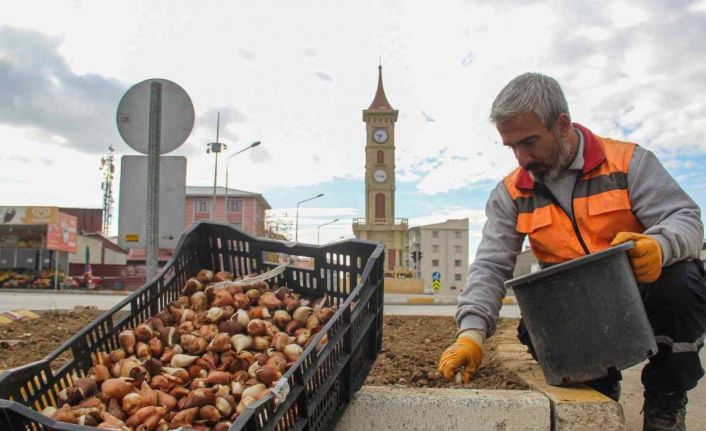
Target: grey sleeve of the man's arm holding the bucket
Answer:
[[664, 209]]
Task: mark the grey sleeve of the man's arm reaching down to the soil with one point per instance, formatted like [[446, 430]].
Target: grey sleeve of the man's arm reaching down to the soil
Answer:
[[479, 304]]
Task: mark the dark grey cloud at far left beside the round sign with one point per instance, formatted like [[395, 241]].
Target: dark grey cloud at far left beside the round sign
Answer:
[[42, 94]]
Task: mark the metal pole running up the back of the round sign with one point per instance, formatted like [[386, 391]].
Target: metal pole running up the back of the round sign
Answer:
[[153, 178]]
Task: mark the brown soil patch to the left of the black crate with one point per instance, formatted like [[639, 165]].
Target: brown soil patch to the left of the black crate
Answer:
[[41, 336]]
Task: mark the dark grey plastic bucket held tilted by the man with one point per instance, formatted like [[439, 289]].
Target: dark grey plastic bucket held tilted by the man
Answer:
[[585, 316]]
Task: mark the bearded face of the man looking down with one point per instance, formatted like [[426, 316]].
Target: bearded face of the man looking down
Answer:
[[542, 152]]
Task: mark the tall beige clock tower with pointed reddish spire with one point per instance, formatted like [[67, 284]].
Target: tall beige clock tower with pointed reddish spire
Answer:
[[380, 223]]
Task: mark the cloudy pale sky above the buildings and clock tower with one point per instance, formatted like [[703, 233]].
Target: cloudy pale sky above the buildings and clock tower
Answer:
[[296, 76]]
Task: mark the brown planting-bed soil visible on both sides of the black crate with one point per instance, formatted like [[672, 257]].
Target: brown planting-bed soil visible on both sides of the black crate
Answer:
[[410, 352]]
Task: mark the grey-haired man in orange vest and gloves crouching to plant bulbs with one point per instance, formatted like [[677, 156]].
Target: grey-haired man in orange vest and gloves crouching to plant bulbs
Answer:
[[575, 193]]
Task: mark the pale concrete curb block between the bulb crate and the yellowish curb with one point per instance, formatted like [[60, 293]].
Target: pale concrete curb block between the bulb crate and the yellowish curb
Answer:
[[390, 408]]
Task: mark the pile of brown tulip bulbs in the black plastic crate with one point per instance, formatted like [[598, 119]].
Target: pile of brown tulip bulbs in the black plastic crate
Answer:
[[200, 361]]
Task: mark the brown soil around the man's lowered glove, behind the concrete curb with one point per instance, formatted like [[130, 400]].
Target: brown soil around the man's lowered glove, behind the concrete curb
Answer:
[[411, 349]]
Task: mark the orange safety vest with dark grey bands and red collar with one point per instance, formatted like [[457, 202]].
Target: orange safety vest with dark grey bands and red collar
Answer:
[[600, 200]]
